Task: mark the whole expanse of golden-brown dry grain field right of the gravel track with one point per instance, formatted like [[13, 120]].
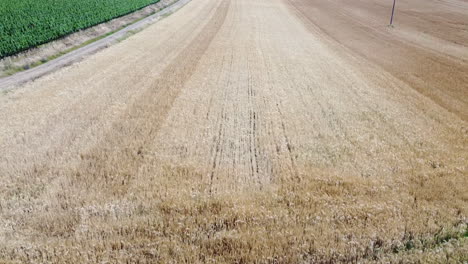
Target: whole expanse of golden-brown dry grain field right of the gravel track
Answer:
[[237, 98]]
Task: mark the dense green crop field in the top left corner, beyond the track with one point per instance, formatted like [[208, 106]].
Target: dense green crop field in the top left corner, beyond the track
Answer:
[[28, 23]]
